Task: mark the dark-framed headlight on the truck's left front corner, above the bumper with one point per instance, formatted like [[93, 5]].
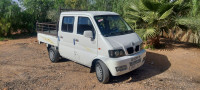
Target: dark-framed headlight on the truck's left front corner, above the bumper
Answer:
[[116, 53]]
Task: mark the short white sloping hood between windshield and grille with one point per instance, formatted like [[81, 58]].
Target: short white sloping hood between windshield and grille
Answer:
[[124, 41]]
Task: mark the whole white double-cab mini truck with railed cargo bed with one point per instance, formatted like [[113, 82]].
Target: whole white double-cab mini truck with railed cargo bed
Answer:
[[100, 40]]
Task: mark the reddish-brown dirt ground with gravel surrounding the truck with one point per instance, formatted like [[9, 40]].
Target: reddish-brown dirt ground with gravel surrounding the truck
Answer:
[[24, 64]]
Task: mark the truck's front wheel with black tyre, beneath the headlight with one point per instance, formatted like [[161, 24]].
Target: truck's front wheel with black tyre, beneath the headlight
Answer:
[[102, 72]]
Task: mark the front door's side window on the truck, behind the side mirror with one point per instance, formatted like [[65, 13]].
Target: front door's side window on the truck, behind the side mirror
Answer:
[[84, 24]]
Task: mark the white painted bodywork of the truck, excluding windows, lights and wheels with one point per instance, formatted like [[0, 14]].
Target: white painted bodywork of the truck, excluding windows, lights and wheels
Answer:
[[87, 50]]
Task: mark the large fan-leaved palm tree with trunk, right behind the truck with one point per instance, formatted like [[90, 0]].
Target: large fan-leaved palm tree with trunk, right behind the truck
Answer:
[[150, 17]]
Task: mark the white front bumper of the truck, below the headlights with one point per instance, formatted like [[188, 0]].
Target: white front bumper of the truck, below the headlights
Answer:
[[122, 65]]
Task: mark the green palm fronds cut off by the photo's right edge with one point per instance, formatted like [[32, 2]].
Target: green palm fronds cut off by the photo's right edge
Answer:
[[192, 20]]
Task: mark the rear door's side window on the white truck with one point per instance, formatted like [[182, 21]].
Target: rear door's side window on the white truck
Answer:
[[68, 24]]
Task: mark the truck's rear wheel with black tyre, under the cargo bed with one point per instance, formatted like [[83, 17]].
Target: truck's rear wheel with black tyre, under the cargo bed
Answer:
[[53, 54]]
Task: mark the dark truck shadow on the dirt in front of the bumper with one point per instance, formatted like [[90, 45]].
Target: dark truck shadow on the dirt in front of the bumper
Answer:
[[154, 65]]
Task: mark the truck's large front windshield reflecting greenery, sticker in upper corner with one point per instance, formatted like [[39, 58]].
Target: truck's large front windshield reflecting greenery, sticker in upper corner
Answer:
[[112, 25]]
